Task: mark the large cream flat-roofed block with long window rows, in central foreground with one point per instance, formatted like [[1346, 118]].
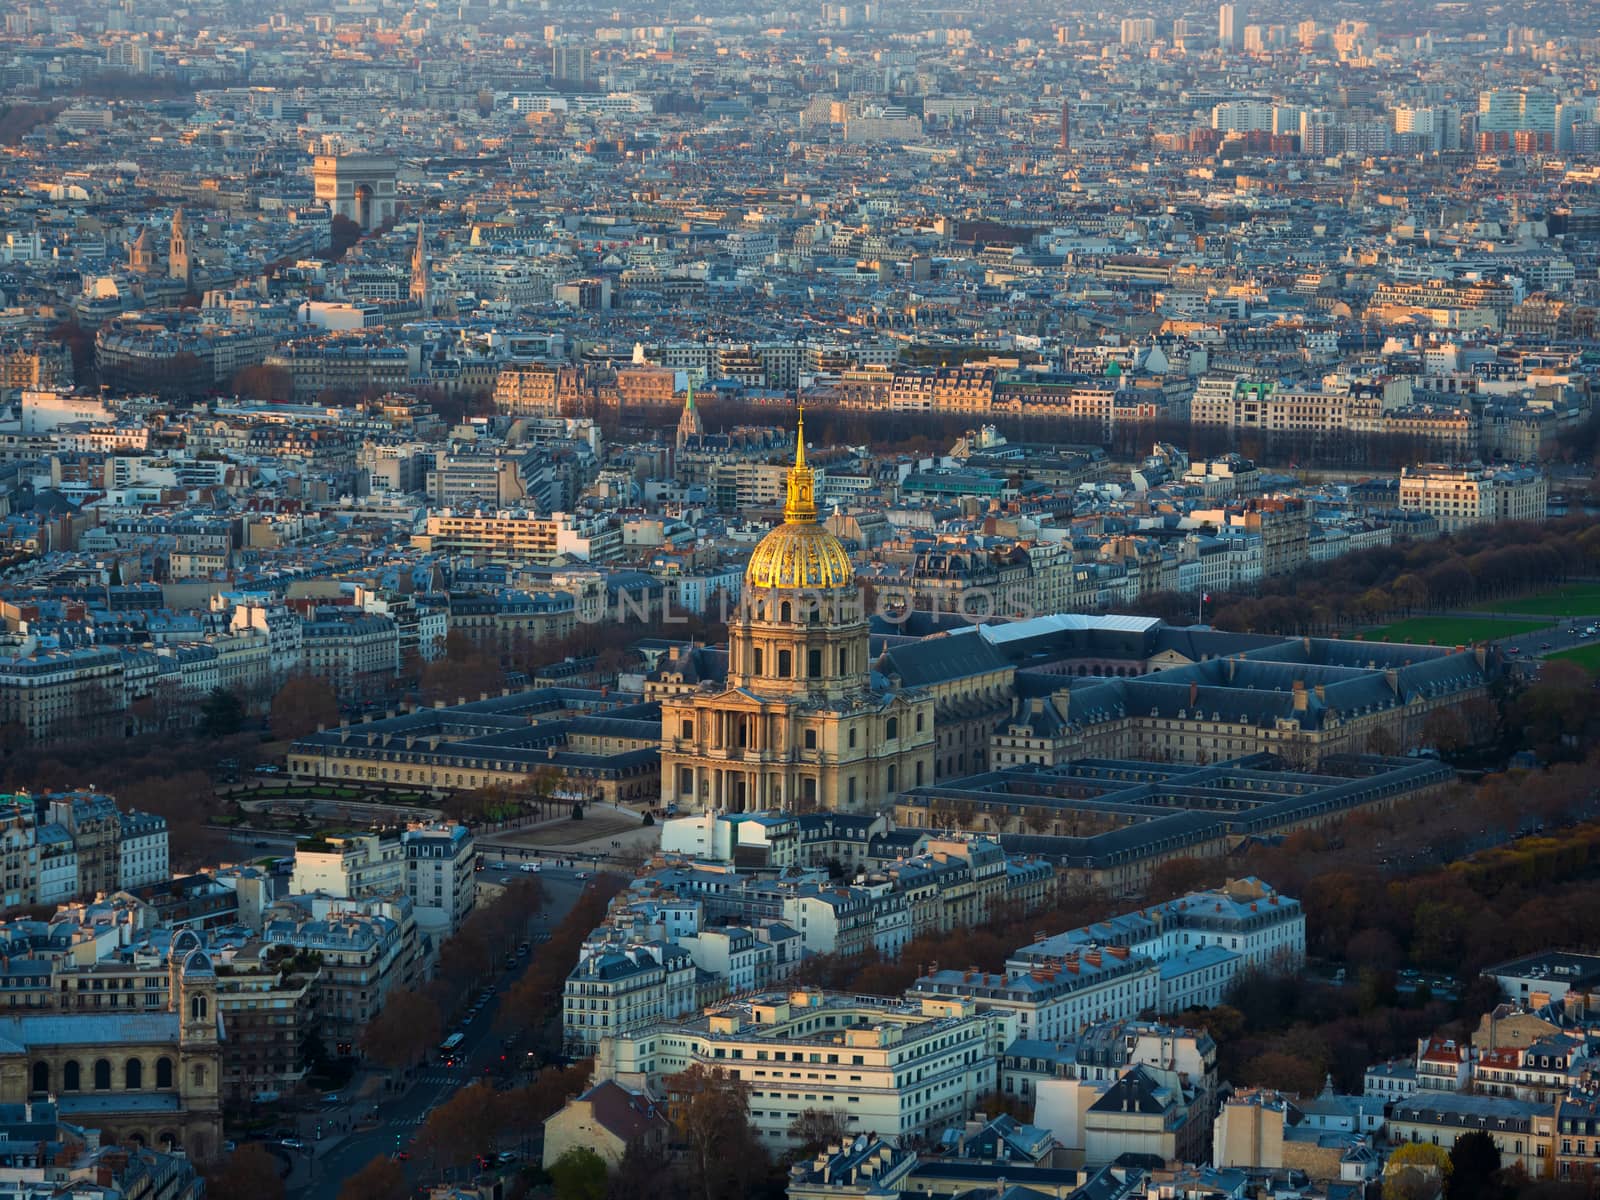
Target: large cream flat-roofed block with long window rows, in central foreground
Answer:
[[895, 1070]]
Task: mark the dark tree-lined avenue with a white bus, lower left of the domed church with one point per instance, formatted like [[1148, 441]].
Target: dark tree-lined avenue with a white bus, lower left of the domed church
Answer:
[[399, 1119]]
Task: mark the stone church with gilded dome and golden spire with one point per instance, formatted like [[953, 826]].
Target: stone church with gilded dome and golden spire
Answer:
[[802, 722]]
